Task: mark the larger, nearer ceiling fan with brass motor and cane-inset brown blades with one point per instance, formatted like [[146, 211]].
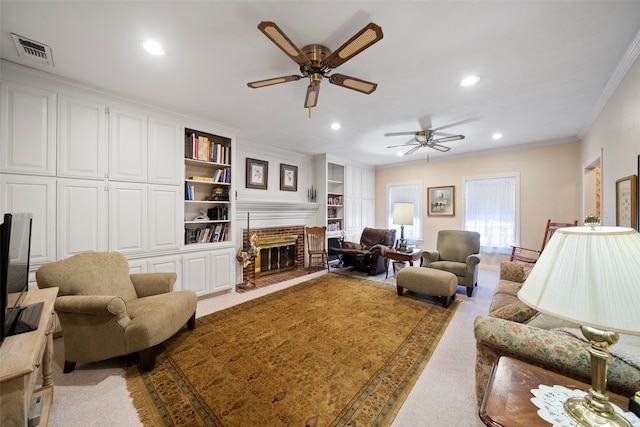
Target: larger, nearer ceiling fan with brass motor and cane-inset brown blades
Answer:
[[317, 61]]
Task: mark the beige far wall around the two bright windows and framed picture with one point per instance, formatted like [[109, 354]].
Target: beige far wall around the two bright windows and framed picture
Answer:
[[550, 187]]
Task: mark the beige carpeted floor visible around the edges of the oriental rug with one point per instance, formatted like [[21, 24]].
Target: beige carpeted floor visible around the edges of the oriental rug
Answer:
[[95, 394]]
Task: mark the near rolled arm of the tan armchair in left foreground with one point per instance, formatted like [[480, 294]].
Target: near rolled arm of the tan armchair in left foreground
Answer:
[[95, 305]]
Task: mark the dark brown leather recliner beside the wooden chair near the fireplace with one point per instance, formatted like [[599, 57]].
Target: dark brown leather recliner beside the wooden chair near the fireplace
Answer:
[[368, 255]]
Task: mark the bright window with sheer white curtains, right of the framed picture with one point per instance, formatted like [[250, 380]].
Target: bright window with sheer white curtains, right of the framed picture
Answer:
[[491, 208]]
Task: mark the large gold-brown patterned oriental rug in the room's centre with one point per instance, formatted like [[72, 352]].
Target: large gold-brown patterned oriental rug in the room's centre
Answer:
[[332, 351]]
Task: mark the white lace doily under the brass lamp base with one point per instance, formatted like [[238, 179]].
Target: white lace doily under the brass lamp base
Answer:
[[551, 400]]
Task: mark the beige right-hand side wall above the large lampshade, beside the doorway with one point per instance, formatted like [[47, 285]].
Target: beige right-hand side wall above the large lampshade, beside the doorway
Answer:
[[617, 132]]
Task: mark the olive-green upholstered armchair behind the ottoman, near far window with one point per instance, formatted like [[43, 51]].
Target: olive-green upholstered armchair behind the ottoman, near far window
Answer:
[[458, 252]]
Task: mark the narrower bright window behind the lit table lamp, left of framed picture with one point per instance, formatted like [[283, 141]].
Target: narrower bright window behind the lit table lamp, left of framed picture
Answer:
[[411, 193]]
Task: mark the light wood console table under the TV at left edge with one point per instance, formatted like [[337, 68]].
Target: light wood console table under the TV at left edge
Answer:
[[20, 357]]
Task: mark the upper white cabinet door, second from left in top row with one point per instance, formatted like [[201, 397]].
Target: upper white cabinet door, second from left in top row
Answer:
[[82, 148]]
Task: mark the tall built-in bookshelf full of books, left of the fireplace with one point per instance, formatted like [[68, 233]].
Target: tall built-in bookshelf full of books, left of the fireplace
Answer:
[[207, 188]]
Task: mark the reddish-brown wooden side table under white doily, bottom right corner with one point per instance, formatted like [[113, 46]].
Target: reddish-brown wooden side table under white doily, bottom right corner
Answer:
[[507, 400]]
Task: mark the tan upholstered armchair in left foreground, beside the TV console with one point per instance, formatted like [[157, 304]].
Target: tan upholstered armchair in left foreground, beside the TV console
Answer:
[[106, 312]]
